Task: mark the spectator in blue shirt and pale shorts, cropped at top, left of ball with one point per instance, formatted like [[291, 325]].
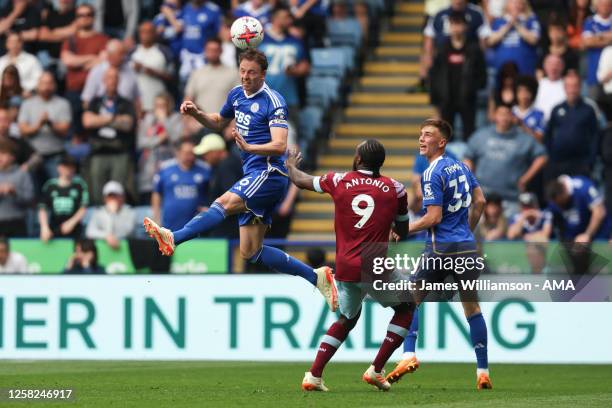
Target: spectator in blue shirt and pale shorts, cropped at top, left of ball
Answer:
[[201, 21]]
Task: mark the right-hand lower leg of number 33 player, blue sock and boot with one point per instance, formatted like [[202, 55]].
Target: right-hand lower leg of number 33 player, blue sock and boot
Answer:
[[478, 334]]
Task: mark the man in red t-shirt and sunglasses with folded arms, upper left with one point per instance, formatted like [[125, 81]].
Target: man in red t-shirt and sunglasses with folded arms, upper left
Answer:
[[79, 54]]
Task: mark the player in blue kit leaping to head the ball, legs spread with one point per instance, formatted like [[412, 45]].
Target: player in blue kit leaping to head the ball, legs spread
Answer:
[[261, 134]]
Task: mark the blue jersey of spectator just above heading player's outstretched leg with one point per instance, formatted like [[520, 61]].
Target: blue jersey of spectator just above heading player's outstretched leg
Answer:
[[182, 191]]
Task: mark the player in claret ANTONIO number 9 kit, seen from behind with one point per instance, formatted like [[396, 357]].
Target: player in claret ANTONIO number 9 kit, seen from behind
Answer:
[[366, 206]]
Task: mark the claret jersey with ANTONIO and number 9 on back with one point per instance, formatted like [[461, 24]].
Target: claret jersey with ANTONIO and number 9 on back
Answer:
[[366, 207]]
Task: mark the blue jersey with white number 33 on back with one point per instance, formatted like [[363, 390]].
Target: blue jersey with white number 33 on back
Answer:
[[448, 183]]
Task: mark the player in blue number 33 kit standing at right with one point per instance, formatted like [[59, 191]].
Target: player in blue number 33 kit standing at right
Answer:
[[449, 190]]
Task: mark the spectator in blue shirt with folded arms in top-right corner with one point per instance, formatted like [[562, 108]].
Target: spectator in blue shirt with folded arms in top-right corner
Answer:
[[597, 34]]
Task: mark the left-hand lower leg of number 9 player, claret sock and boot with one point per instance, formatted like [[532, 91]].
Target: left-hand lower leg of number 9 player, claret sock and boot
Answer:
[[332, 340]]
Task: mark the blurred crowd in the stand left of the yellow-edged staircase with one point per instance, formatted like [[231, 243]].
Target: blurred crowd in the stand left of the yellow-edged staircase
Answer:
[[88, 107]]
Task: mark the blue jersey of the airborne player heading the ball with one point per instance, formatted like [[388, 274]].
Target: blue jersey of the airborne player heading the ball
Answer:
[[255, 114]]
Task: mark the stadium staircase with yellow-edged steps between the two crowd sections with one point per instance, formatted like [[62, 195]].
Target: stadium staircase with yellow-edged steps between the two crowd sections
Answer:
[[379, 107]]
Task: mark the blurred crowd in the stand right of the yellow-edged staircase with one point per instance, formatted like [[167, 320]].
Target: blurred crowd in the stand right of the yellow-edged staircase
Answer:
[[528, 85]]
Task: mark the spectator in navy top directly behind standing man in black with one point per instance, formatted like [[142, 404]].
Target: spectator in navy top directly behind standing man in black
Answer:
[[436, 32]]
